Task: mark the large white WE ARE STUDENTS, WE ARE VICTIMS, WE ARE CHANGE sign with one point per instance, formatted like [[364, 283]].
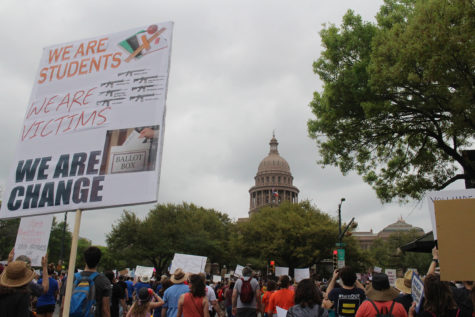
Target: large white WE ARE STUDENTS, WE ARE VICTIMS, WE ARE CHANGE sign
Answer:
[[92, 135]]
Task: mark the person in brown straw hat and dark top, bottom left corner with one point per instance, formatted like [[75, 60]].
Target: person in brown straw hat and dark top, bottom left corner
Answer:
[[14, 290]]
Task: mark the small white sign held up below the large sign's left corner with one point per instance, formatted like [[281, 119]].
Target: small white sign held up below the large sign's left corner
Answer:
[[32, 238]]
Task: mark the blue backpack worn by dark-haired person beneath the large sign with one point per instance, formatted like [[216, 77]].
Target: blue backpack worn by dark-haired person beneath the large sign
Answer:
[[83, 298]]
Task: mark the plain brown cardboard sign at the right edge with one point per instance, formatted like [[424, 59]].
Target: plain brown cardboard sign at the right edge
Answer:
[[455, 219]]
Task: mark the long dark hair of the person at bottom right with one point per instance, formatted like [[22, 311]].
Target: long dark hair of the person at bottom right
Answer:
[[438, 296]]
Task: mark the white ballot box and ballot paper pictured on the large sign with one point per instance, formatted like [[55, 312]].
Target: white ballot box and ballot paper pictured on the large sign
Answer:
[[131, 156]]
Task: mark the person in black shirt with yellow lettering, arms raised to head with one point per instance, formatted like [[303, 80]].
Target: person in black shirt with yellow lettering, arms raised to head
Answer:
[[346, 299]]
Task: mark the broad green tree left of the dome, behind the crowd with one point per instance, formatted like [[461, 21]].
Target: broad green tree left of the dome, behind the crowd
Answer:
[[169, 229]]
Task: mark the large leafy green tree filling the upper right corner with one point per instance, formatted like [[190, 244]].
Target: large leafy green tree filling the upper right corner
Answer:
[[398, 100]]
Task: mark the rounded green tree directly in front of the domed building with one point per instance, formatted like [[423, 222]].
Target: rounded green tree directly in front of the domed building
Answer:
[[294, 235]]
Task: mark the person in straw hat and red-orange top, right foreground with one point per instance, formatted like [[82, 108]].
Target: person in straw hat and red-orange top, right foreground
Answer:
[[381, 299]]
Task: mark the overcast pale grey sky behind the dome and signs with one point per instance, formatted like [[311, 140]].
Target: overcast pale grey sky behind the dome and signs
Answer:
[[239, 70]]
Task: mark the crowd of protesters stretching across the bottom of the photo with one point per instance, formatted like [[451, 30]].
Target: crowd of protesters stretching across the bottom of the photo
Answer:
[[24, 293]]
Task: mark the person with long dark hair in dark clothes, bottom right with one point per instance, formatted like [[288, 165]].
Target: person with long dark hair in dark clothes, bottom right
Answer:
[[438, 299]]
